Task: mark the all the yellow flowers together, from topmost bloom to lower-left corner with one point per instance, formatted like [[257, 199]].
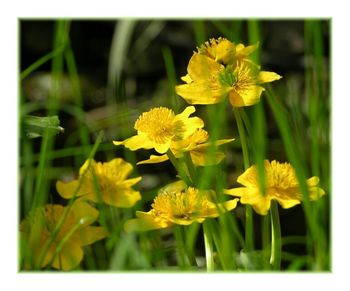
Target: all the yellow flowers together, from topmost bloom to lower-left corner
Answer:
[[219, 69]]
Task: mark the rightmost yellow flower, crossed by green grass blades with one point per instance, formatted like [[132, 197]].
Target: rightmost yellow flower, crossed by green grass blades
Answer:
[[281, 185]]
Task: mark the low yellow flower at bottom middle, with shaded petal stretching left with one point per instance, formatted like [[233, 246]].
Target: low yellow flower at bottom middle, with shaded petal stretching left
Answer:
[[178, 204]]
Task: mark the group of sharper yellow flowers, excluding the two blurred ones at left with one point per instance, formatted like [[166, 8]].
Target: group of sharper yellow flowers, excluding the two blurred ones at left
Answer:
[[218, 69]]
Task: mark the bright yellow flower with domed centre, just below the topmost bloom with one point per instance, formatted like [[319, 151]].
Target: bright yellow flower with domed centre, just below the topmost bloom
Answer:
[[159, 127]]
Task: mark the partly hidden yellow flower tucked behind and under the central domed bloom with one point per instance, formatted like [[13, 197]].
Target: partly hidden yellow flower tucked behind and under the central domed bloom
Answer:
[[197, 146]]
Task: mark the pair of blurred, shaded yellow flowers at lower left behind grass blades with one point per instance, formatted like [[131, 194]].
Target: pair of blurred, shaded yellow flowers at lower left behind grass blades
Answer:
[[53, 235]]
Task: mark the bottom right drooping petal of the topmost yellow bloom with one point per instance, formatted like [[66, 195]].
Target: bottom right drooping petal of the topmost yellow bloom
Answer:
[[247, 97]]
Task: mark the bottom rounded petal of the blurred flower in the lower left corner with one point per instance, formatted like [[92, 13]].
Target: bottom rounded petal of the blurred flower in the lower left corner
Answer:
[[69, 257]]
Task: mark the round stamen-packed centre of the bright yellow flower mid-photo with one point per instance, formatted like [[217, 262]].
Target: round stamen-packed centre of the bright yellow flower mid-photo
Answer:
[[159, 125]]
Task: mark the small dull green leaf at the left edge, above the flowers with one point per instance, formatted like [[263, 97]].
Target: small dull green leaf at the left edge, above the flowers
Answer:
[[35, 126]]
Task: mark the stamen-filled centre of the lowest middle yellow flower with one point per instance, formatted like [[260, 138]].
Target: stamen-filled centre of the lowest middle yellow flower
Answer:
[[180, 204]]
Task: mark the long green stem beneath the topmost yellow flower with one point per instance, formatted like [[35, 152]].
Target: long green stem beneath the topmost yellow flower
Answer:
[[249, 232]]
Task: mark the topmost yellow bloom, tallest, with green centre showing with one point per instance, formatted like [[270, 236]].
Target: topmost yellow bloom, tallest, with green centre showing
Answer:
[[221, 69]]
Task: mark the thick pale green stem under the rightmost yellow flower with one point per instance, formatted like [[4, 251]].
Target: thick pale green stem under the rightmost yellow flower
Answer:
[[276, 243]]
